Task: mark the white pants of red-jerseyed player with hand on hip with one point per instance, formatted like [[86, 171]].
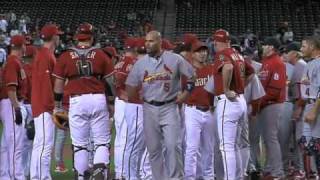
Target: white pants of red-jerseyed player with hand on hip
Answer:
[[229, 115]]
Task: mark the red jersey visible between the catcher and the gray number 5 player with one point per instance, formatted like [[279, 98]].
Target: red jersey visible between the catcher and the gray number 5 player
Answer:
[[121, 72]]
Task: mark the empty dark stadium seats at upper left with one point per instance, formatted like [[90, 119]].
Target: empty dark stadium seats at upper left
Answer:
[[72, 12]]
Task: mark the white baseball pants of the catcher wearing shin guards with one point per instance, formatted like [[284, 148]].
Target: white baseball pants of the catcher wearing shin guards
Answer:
[[89, 111]]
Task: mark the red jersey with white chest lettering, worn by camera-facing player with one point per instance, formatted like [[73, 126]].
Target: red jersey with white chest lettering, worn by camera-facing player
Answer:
[[199, 96]]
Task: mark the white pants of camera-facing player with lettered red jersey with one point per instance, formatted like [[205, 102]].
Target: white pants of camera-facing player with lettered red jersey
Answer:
[[199, 133]]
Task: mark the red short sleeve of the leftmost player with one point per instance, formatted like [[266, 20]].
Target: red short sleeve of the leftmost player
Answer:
[[11, 73]]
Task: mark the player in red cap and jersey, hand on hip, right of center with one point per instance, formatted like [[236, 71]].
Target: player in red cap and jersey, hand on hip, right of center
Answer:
[[230, 72]]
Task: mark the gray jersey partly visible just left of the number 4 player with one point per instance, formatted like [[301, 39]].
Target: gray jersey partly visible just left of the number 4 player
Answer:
[[294, 85]]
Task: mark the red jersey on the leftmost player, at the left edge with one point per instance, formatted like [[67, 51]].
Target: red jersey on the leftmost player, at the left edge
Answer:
[[15, 76]]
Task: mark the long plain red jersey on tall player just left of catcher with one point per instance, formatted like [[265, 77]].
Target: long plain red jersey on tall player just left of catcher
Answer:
[[42, 82]]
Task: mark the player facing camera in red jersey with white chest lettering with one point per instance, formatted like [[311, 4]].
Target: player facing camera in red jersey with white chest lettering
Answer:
[[199, 119]]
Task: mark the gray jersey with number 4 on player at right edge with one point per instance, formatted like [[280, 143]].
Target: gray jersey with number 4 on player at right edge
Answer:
[[311, 73]]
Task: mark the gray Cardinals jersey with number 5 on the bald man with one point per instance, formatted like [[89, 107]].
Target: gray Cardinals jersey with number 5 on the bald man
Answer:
[[160, 78]]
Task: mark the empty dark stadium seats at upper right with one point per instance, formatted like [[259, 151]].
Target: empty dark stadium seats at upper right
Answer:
[[260, 16]]
